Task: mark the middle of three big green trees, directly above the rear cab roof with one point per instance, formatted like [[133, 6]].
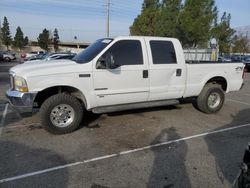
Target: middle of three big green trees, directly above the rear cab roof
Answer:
[[167, 25]]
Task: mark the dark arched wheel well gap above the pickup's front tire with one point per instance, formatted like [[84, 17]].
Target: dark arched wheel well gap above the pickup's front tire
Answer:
[[48, 92]]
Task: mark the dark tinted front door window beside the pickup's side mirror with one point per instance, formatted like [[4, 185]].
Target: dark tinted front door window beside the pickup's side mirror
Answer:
[[127, 52]]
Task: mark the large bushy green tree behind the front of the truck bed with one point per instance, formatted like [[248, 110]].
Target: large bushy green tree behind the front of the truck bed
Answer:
[[195, 22]]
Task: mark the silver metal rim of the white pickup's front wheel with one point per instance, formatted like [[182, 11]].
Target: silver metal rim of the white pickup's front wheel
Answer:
[[62, 115]]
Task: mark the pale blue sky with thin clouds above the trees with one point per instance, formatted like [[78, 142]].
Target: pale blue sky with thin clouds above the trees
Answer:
[[86, 19]]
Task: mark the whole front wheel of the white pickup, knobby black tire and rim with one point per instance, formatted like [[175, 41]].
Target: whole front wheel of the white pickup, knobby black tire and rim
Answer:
[[55, 106]]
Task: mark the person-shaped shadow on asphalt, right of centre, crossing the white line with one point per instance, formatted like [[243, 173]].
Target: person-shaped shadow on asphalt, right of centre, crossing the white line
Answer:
[[169, 167]]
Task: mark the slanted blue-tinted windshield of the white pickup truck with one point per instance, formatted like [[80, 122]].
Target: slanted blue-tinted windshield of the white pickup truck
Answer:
[[89, 53]]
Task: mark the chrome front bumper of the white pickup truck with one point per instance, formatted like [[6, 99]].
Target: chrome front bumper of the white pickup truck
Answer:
[[21, 102]]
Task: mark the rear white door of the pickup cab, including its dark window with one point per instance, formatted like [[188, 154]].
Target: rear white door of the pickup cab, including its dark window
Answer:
[[166, 70]]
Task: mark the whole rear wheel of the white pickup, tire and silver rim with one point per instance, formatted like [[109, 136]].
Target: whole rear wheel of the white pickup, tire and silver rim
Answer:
[[203, 102]]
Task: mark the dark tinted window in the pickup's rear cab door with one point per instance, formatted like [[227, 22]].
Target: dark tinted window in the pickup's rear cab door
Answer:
[[163, 52]]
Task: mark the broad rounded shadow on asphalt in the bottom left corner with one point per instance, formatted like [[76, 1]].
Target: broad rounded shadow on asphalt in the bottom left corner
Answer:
[[17, 159]]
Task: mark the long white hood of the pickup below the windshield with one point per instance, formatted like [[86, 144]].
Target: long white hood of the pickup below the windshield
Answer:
[[39, 68]]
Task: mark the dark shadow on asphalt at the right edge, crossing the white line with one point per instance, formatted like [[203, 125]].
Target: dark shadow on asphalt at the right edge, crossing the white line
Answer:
[[227, 152]]
